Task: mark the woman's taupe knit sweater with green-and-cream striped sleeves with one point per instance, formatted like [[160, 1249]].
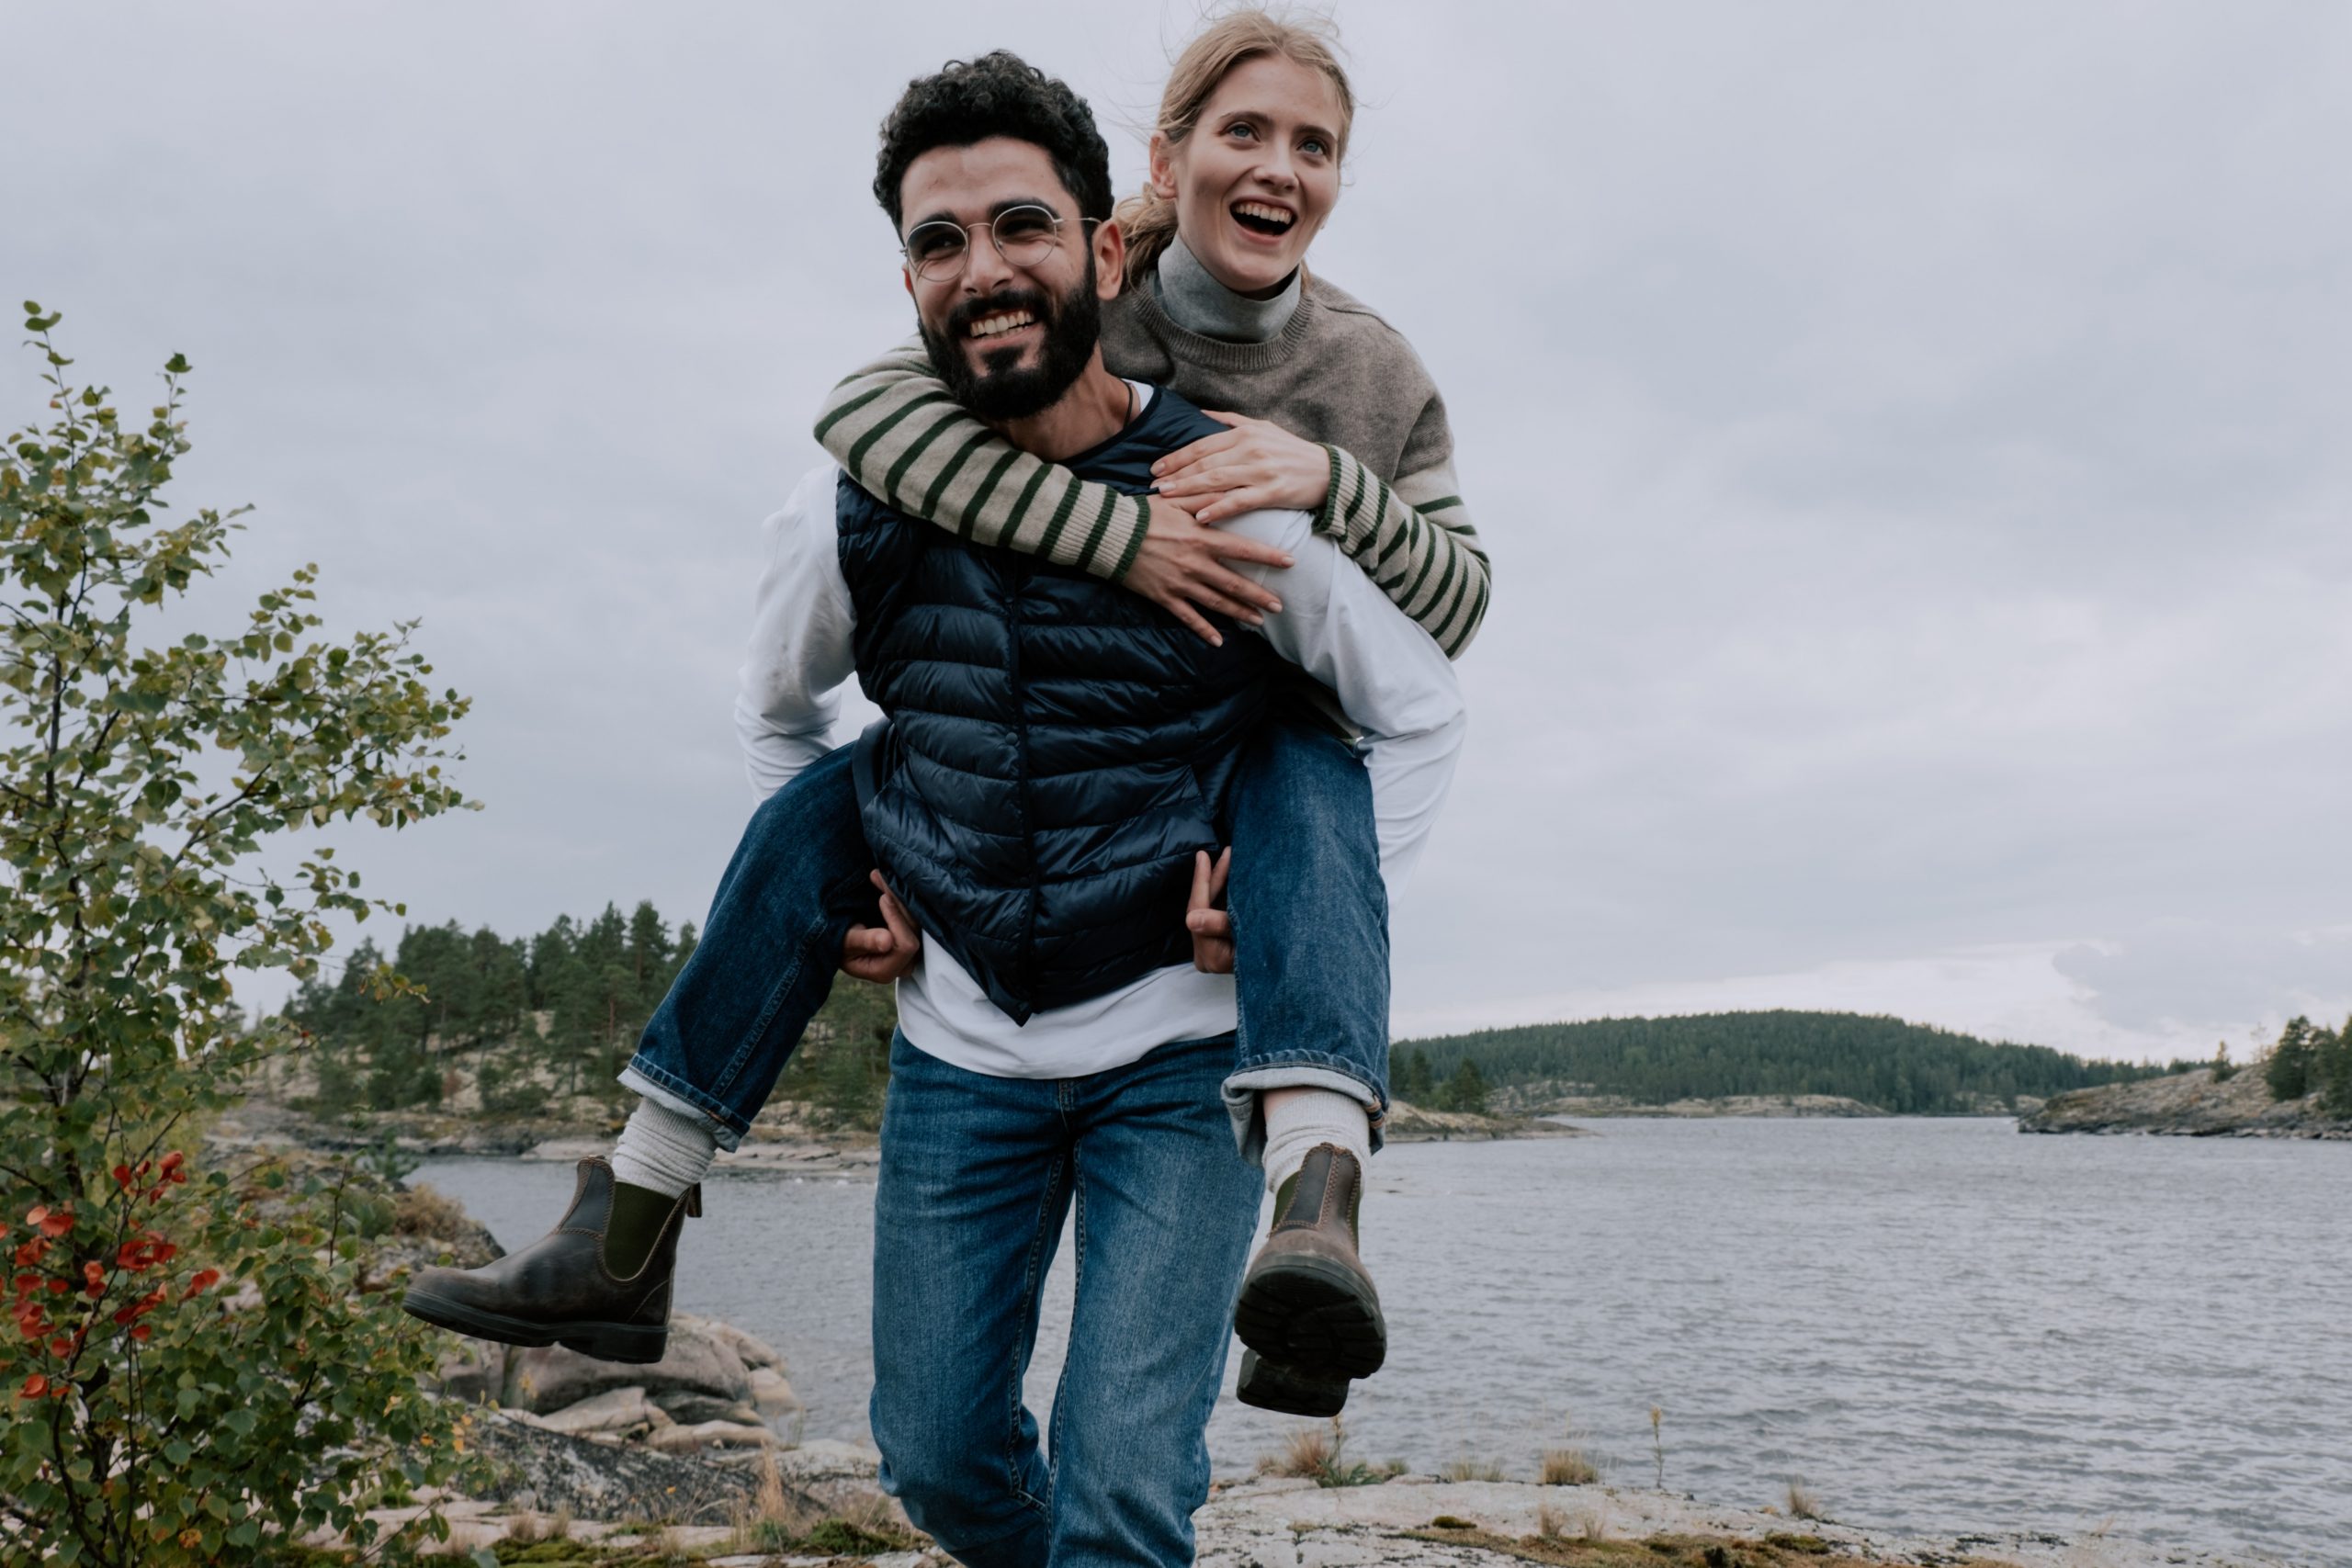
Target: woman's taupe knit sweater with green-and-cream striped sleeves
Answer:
[[1335, 375]]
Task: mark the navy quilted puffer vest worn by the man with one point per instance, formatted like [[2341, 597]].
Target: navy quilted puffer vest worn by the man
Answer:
[[1057, 749]]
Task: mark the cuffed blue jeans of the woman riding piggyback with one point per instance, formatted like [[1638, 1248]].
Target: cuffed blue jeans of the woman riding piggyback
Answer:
[[1309, 925]]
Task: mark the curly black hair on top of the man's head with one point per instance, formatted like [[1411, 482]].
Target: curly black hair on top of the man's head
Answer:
[[998, 95]]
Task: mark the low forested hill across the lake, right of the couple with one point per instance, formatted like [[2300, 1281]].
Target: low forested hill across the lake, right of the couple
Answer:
[[1895, 1066]]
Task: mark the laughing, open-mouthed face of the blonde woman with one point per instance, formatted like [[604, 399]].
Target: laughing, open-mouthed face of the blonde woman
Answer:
[[1259, 173]]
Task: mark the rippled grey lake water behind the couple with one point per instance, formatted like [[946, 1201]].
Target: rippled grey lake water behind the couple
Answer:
[[1935, 1325]]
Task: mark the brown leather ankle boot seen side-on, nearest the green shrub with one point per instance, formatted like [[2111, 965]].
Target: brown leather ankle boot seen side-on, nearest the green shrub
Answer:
[[561, 1292]]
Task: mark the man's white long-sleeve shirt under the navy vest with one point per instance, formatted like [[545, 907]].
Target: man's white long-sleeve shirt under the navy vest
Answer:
[[1391, 678]]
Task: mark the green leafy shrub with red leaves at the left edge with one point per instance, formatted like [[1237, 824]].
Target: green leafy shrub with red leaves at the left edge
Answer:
[[192, 1376]]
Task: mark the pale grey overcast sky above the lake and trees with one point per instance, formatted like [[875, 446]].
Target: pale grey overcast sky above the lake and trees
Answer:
[[1913, 445]]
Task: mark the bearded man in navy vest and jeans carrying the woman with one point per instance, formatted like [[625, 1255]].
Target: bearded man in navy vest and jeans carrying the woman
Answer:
[[1048, 772]]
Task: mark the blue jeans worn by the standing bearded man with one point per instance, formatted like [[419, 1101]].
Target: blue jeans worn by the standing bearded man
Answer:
[[977, 1179]]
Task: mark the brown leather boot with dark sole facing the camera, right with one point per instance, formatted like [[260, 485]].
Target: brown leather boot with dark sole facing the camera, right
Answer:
[[1307, 1304]]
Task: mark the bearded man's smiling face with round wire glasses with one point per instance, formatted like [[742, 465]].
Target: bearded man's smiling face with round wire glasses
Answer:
[[1005, 337]]
